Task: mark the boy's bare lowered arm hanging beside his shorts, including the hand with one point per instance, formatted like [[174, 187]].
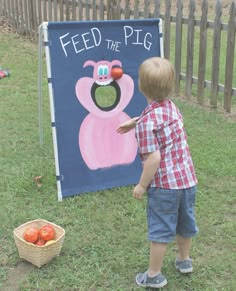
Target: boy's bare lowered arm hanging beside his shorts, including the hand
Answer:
[[150, 166]]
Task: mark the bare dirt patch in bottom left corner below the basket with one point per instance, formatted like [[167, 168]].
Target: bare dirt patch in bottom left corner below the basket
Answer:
[[15, 275]]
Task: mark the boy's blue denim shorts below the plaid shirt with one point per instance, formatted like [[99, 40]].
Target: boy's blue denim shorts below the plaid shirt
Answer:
[[170, 212]]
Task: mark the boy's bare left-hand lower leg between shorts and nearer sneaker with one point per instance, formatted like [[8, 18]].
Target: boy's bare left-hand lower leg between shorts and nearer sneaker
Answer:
[[157, 253]]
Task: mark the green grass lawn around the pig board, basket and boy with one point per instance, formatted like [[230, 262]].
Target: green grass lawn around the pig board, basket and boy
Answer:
[[105, 243]]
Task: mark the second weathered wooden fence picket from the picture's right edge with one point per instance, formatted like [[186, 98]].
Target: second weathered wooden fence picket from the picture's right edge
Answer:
[[216, 55]]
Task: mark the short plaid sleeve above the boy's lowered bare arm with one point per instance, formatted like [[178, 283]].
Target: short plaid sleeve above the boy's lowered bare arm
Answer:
[[146, 137]]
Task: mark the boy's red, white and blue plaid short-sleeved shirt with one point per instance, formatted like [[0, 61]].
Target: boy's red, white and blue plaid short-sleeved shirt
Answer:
[[161, 128]]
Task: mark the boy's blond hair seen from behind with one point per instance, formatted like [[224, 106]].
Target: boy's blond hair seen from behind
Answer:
[[156, 78]]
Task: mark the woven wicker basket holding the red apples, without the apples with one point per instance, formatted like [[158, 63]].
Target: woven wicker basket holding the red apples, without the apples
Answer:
[[38, 255]]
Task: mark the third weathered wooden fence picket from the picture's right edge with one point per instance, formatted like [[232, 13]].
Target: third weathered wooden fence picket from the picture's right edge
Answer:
[[202, 53]]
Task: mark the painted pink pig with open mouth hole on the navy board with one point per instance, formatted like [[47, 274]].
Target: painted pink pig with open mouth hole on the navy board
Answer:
[[100, 145]]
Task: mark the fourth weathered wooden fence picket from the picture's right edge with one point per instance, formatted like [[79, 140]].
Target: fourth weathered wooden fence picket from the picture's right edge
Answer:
[[190, 49]]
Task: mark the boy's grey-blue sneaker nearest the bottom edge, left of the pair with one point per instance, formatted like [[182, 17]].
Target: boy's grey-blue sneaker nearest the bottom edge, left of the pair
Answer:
[[142, 279]]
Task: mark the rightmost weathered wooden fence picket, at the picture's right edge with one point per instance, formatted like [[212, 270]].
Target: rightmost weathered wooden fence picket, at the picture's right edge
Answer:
[[230, 58]]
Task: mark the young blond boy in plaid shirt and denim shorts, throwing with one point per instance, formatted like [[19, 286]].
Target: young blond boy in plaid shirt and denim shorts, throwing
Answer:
[[168, 174]]
